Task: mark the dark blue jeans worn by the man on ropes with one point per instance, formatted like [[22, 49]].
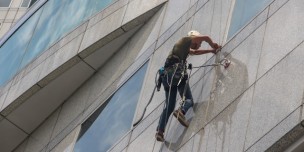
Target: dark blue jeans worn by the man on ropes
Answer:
[[171, 100]]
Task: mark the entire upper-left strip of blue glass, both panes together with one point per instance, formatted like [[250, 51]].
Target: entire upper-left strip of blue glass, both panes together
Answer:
[[50, 23]]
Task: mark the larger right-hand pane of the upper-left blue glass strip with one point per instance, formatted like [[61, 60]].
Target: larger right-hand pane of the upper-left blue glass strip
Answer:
[[58, 18]]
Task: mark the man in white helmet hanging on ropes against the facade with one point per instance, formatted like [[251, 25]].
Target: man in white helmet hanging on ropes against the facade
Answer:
[[175, 77]]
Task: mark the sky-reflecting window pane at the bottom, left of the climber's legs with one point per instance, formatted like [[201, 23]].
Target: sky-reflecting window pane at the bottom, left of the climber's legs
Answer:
[[115, 119]]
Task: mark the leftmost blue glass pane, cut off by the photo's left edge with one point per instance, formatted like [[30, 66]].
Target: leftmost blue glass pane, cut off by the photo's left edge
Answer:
[[12, 51]]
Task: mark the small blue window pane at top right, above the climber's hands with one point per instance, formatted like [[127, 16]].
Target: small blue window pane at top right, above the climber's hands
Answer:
[[245, 10]]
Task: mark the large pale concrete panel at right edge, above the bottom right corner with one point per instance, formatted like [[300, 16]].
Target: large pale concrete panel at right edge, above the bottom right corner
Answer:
[[276, 96]]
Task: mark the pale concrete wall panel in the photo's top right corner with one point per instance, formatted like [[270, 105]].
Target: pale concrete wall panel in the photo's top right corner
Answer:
[[282, 37]]
